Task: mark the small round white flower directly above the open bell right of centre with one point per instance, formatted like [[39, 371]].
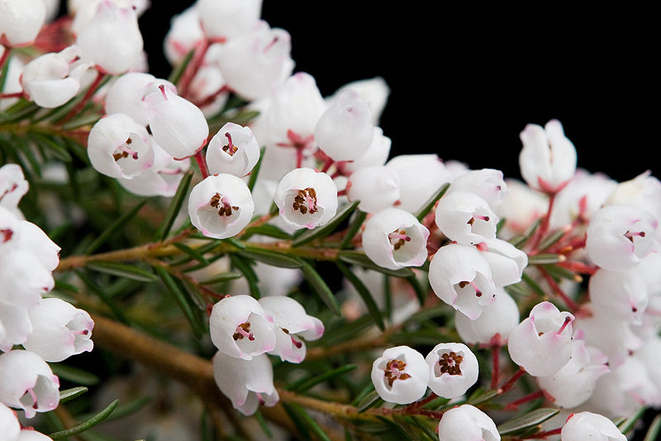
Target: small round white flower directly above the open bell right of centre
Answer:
[[376, 187]]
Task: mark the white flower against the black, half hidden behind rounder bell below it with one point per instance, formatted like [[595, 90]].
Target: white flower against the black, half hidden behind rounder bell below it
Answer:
[[487, 183]]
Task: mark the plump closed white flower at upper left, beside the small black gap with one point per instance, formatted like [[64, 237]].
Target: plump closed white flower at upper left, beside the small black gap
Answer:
[[111, 40]]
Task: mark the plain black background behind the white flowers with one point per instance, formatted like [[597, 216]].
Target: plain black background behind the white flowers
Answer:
[[465, 81]]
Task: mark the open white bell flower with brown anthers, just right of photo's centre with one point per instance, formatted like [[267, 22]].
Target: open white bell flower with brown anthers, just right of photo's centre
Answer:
[[394, 238]]
